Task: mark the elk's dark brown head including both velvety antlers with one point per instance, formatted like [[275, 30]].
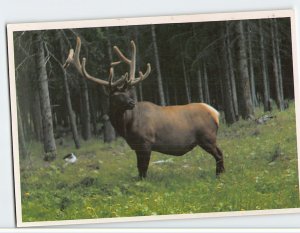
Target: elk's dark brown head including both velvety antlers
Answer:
[[120, 91]]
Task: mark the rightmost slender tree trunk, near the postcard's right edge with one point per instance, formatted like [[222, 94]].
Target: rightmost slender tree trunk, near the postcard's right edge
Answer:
[[276, 65]]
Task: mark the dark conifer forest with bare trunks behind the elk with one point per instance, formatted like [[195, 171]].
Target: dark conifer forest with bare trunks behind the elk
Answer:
[[234, 66]]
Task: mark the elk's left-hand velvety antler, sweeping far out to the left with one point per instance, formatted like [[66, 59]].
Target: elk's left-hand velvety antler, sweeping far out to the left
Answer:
[[73, 59]]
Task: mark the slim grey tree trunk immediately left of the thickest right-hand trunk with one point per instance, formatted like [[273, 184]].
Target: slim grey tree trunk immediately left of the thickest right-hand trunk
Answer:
[[231, 72]]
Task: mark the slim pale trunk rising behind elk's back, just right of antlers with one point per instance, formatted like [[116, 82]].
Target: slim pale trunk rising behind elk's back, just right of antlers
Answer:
[[157, 63]]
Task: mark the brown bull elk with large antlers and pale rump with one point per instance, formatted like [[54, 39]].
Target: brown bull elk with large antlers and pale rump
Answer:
[[146, 127]]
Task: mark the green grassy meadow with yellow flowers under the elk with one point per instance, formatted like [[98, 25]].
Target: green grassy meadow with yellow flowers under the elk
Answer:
[[261, 173]]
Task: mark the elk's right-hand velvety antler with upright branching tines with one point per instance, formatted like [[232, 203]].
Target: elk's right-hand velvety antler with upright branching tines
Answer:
[[132, 63]]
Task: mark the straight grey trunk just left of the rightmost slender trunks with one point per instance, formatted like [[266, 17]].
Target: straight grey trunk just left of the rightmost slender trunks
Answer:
[[267, 104]]
